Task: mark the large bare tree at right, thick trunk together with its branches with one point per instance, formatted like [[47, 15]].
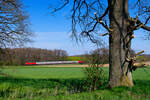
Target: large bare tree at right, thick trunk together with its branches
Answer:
[[113, 16]]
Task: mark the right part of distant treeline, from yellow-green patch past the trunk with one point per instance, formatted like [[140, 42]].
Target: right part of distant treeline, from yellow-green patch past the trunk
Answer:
[[101, 56]]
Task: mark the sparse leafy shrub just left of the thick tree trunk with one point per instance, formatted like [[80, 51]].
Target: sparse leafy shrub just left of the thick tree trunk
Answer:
[[94, 73]]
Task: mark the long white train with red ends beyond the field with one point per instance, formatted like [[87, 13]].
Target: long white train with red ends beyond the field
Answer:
[[54, 62]]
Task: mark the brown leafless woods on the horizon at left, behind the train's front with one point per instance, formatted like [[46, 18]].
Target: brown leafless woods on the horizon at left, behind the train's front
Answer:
[[18, 56]]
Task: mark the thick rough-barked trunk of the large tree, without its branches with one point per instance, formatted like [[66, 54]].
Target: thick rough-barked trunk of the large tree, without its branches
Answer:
[[119, 44]]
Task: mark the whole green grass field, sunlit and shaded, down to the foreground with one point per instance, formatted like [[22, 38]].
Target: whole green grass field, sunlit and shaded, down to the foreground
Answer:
[[64, 83]]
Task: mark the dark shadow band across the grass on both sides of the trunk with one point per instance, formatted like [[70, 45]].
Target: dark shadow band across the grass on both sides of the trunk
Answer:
[[78, 84]]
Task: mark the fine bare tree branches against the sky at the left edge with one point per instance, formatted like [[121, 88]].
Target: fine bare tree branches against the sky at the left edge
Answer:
[[14, 24]]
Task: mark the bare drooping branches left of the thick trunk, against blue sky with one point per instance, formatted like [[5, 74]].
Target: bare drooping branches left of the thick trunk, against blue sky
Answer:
[[83, 19]]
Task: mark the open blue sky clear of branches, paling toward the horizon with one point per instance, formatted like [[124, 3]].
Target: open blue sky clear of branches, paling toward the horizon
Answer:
[[53, 32]]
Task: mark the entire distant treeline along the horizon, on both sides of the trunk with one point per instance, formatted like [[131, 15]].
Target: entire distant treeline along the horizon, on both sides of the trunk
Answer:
[[18, 56]]
